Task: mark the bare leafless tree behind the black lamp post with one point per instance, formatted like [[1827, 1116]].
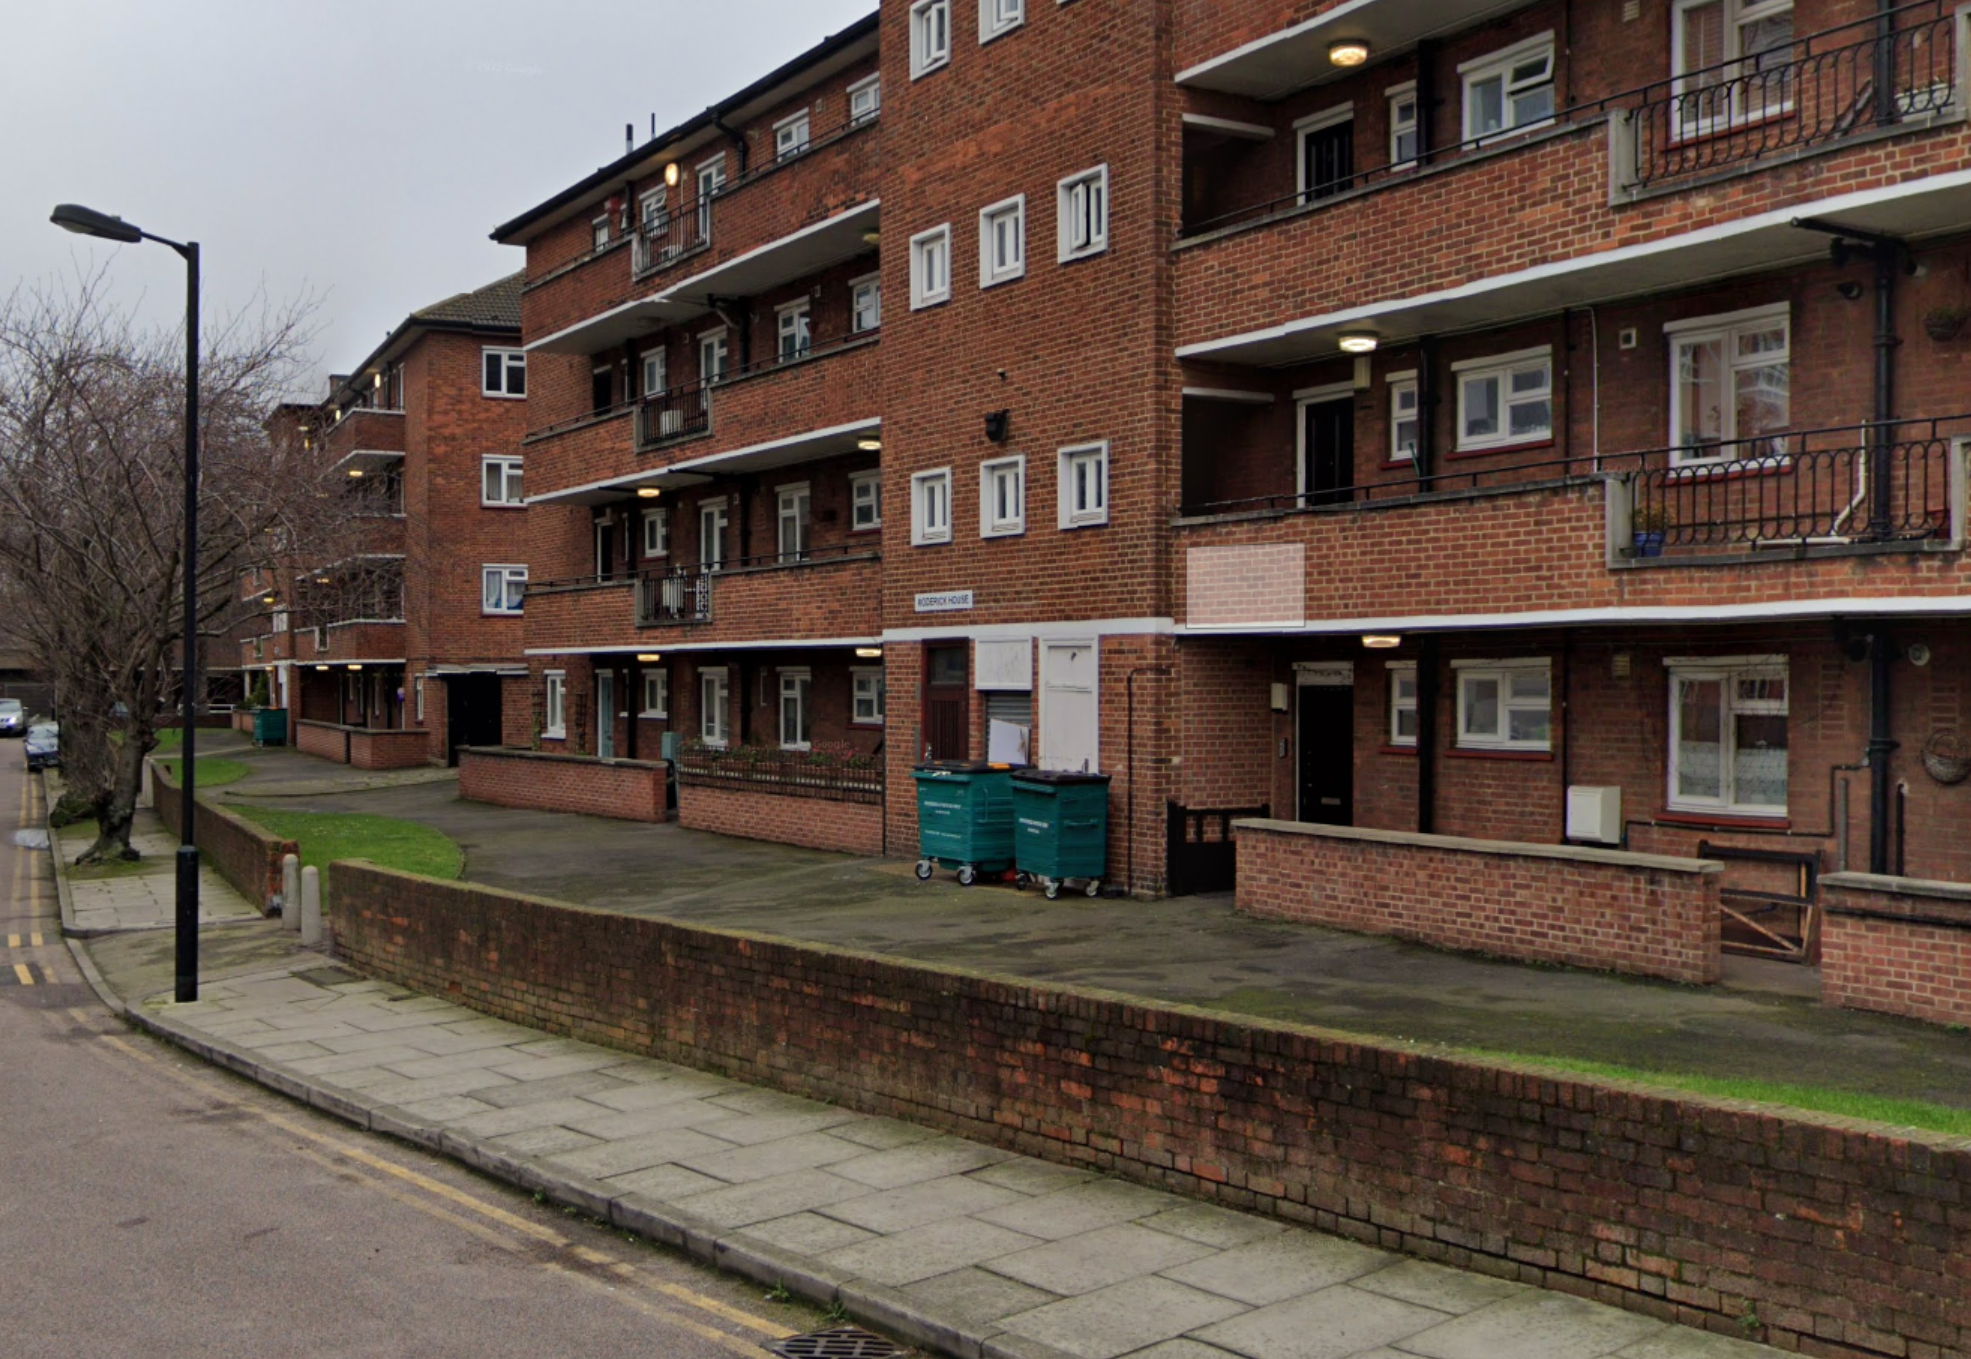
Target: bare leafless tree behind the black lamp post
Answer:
[[92, 484]]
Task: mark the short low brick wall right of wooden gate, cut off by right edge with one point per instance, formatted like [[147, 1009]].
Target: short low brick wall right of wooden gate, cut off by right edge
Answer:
[[1901, 946]]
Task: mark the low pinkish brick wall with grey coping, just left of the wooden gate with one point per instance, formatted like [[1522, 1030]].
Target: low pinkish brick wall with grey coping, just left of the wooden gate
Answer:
[[1643, 914]]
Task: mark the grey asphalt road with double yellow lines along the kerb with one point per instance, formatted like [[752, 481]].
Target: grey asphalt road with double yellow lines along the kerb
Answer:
[[155, 1206]]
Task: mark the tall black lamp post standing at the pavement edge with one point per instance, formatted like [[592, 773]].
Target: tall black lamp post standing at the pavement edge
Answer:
[[92, 224]]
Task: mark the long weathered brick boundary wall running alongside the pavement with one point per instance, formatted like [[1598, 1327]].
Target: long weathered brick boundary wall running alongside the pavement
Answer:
[[1692, 1210]]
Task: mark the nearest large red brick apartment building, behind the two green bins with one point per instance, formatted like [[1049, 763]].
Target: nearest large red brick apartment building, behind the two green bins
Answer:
[[1410, 427]]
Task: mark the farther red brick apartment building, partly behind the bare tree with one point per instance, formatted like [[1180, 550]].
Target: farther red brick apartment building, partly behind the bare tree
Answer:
[[399, 650]]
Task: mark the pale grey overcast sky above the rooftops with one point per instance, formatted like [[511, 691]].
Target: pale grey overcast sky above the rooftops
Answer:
[[360, 151]]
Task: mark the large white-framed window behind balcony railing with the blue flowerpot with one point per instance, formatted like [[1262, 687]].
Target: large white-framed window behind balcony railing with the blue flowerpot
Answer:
[[1730, 380]]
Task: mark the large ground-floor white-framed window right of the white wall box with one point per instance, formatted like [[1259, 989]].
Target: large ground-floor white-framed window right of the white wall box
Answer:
[[1728, 735]]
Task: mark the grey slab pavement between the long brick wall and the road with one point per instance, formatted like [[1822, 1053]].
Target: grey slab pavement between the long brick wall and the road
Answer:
[[949, 1244]]
